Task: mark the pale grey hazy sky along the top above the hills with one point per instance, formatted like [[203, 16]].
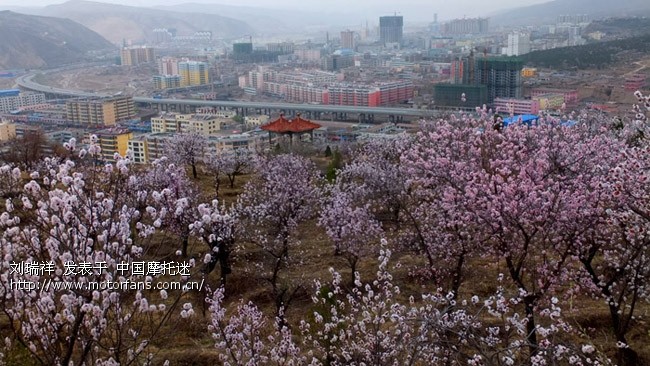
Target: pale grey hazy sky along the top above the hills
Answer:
[[414, 9]]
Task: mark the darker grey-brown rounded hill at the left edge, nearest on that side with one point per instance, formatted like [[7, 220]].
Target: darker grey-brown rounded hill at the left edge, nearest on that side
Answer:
[[30, 41]]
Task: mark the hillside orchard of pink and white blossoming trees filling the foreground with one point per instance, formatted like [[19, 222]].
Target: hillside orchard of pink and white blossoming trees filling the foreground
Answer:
[[490, 245]]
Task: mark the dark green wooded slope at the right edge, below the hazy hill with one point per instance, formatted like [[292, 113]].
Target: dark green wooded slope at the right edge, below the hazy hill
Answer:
[[595, 55]]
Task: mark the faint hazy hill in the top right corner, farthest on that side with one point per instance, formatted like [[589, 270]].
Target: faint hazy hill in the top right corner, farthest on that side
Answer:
[[546, 13]]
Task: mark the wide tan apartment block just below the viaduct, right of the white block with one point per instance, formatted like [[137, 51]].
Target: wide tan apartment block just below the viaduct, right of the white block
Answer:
[[107, 111]]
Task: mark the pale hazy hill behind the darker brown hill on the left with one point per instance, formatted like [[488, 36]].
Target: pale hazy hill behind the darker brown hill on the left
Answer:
[[119, 22]]
